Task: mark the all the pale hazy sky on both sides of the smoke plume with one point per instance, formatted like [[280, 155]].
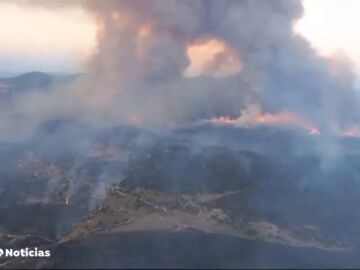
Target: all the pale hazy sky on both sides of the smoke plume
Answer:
[[33, 38]]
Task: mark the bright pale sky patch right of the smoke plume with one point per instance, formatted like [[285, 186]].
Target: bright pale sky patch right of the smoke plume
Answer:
[[332, 26]]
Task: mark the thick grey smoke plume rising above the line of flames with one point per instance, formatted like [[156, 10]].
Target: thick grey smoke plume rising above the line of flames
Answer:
[[137, 74]]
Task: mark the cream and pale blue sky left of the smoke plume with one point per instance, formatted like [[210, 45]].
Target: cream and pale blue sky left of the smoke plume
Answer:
[[35, 38]]
